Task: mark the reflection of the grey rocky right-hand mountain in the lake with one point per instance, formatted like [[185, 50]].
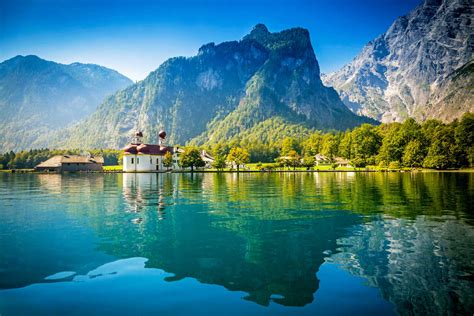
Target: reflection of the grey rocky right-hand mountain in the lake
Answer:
[[424, 267]]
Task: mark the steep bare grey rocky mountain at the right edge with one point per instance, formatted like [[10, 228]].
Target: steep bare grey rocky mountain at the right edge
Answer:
[[421, 67]]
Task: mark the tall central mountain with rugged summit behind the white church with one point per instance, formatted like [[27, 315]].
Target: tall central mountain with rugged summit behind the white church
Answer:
[[264, 86]]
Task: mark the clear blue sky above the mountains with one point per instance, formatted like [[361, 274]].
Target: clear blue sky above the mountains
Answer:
[[135, 37]]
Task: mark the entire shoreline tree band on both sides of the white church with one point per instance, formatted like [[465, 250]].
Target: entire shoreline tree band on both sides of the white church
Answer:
[[431, 144]]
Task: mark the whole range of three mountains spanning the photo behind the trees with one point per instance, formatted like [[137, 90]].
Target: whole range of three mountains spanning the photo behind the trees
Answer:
[[258, 89]]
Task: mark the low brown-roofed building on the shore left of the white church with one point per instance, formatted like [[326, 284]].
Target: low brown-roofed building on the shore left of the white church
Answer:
[[71, 163]]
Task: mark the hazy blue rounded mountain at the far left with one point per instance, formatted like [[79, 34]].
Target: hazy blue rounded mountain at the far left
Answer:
[[39, 96]]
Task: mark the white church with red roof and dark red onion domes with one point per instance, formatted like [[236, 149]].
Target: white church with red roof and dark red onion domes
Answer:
[[140, 157]]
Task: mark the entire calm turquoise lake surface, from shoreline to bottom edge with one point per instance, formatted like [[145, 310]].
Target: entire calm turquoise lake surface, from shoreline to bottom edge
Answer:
[[318, 243]]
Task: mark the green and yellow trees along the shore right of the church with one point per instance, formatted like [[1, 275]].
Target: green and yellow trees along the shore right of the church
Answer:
[[431, 144]]
